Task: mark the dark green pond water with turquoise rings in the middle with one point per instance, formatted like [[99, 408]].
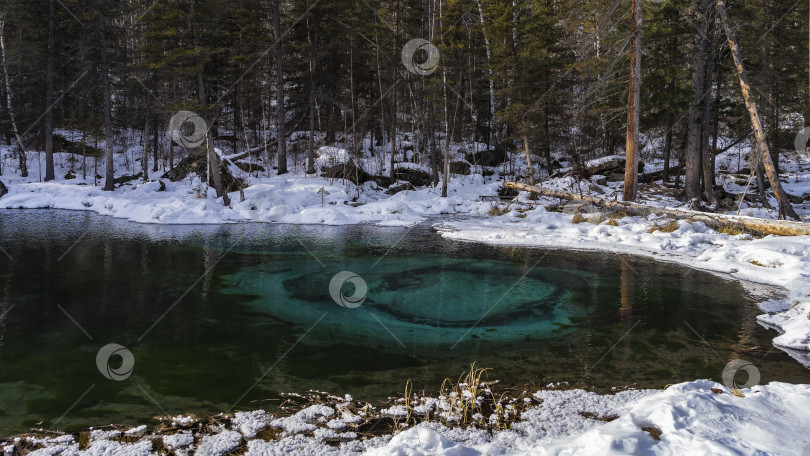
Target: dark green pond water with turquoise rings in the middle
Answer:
[[230, 317]]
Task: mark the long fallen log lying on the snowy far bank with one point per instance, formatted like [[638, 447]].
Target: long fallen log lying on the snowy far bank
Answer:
[[718, 222]]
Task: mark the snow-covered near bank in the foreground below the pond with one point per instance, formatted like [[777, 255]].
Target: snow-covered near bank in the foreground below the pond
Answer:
[[695, 418]]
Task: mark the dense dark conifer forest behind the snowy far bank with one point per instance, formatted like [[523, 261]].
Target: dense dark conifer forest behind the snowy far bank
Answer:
[[548, 81]]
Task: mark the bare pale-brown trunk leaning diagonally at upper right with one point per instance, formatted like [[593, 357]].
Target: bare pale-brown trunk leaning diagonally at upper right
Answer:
[[785, 208]]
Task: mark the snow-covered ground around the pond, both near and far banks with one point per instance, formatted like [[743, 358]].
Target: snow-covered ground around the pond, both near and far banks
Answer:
[[700, 417]]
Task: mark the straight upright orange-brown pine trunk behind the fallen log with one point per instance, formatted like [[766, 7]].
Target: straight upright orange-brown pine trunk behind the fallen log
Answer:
[[634, 98]]
